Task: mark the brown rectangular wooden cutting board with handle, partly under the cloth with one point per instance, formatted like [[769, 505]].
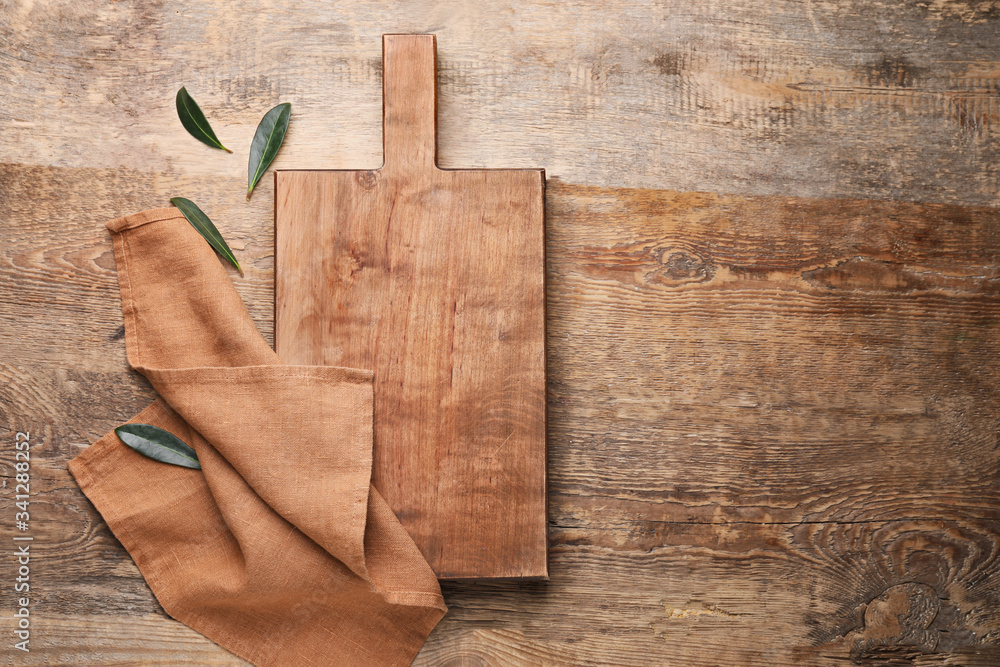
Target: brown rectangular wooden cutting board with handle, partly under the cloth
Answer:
[[435, 280]]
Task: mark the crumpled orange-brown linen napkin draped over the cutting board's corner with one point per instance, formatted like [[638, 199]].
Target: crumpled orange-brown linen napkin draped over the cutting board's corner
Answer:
[[279, 549]]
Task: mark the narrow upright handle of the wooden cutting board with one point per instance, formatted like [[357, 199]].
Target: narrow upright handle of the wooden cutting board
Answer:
[[409, 77]]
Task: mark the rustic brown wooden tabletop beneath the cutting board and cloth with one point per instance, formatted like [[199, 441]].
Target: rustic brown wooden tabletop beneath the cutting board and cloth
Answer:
[[773, 303]]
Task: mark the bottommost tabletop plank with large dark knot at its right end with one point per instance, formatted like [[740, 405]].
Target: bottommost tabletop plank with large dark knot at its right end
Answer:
[[683, 593]]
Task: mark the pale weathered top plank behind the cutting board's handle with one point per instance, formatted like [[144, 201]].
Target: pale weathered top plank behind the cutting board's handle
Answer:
[[809, 99]]
